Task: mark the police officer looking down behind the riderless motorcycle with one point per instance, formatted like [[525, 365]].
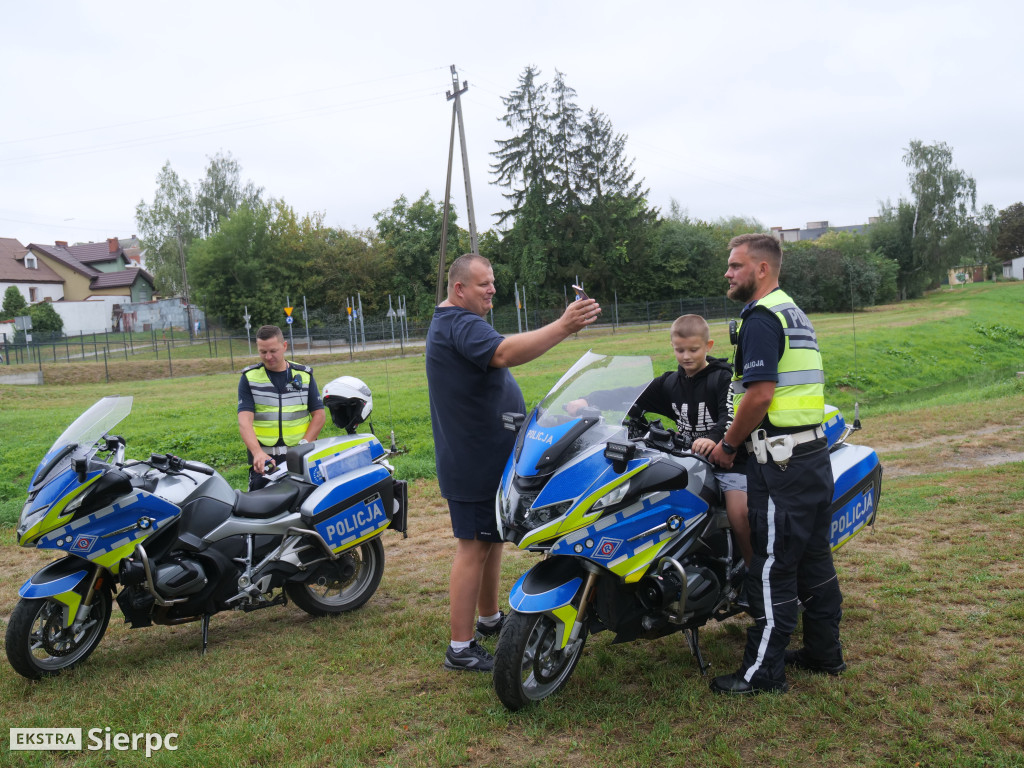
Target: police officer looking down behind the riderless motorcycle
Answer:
[[279, 405]]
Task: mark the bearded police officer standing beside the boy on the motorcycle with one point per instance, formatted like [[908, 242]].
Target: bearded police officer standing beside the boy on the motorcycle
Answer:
[[779, 393]]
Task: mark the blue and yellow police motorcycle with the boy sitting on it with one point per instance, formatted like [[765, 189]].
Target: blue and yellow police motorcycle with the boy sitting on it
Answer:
[[632, 527]]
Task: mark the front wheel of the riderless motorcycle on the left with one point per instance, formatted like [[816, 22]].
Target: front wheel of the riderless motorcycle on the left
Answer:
[[39, 646]]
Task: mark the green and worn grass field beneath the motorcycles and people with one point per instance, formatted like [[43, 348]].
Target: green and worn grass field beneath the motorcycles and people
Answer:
[[933, 596]]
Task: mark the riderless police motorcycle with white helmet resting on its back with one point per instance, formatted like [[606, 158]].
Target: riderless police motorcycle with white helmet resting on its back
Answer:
[[178, 544]]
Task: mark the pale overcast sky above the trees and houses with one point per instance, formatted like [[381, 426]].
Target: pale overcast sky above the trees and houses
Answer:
[[786, 112]]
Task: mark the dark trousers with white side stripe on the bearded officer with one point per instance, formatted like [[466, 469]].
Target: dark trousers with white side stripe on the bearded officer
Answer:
[[790, 525]]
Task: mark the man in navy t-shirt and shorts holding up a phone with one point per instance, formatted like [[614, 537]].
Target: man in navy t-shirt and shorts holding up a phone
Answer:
[[471, 388]]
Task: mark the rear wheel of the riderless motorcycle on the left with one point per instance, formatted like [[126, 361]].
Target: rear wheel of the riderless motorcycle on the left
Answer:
[[342, 585]]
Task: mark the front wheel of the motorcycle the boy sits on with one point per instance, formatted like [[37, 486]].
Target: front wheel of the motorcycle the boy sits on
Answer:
[[529, 664]]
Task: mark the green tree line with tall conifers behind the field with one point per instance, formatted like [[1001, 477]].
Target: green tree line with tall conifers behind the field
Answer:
[[576, 210]]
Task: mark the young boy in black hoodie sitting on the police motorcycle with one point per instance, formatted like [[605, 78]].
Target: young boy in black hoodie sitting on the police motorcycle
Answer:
[[699, 398]]
